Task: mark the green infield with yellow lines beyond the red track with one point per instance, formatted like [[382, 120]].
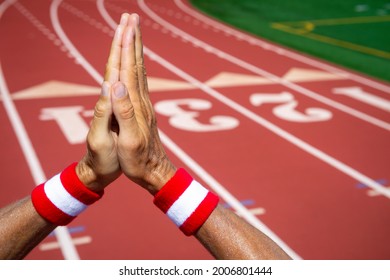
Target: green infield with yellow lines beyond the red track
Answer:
[[352, 33]]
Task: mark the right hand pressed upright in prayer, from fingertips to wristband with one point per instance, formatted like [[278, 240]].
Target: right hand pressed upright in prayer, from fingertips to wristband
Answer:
[[140, 153]]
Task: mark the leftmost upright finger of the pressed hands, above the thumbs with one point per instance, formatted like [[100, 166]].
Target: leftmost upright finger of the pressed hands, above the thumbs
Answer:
[[113, 64]]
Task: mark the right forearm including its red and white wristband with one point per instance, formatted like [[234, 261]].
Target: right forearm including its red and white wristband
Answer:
[[225, 235]]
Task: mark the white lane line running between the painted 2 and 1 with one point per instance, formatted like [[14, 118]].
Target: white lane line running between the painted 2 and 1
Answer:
[[234, 60]]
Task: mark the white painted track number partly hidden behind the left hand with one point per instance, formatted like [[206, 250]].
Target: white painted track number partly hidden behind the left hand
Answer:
[[70, 121]]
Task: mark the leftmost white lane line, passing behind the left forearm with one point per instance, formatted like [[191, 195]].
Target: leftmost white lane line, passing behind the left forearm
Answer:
[[64, 239]]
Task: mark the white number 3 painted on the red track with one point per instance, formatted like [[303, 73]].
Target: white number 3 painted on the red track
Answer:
[[186, 120]]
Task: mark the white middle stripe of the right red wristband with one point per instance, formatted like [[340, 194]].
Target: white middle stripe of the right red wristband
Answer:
[[187, 203]]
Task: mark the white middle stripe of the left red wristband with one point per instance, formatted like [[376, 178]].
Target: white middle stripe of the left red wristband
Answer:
[[59, 196]]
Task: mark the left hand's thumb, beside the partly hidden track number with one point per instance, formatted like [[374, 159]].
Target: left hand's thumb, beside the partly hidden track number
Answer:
[[101, 122]]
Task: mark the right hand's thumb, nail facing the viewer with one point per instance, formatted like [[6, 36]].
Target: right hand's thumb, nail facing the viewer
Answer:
[[123, 109]]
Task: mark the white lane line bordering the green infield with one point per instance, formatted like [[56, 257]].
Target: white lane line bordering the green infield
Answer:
[[270, 47]]
